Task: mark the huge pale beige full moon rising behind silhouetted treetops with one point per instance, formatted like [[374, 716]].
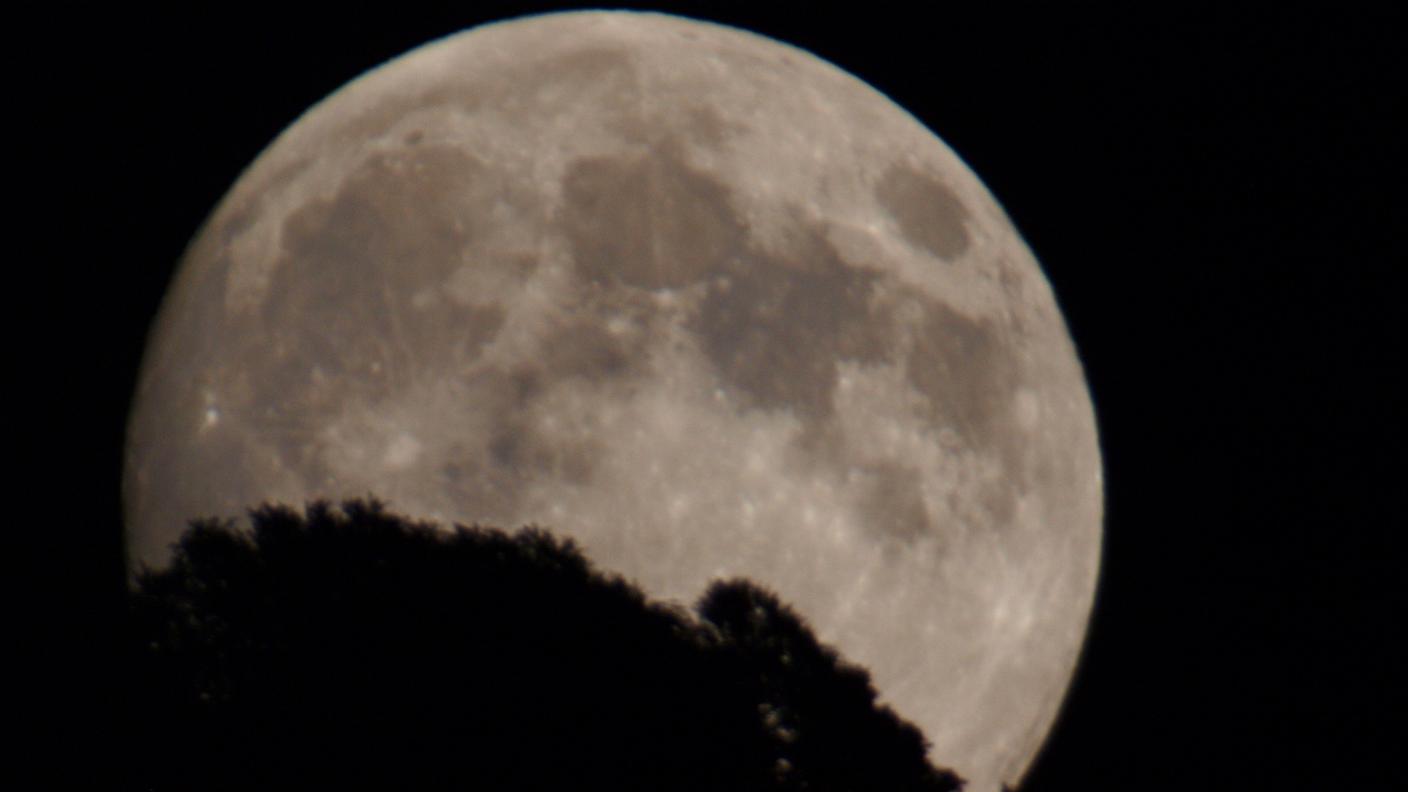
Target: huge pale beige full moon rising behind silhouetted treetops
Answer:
[[693, 298]]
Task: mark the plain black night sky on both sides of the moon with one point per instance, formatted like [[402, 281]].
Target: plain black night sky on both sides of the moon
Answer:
[[1210, 188]]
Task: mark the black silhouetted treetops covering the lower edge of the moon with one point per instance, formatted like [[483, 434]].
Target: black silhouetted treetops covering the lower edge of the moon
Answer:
[[356, 649]]
